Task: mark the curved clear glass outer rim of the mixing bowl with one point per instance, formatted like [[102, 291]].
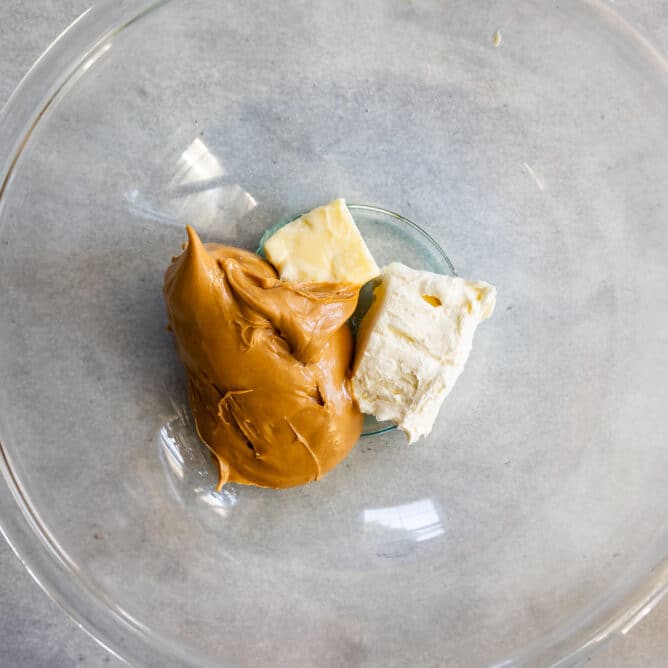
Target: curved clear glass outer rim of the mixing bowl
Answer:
[[46, 560]]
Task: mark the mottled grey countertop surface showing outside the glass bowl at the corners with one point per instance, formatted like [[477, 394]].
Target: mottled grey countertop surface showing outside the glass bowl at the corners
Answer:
[[34, 631]]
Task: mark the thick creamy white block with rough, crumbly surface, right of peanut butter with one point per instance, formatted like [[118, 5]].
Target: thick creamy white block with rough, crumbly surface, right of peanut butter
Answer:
[[414, 342]]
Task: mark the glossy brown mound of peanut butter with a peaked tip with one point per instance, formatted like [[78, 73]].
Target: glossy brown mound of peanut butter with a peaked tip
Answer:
[[268, 364]]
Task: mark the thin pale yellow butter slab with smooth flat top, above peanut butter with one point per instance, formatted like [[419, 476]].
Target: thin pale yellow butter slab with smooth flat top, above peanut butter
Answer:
[[322, 245]]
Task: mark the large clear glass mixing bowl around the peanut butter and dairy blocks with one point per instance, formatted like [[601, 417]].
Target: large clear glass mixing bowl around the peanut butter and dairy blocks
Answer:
[[531, 526]]
